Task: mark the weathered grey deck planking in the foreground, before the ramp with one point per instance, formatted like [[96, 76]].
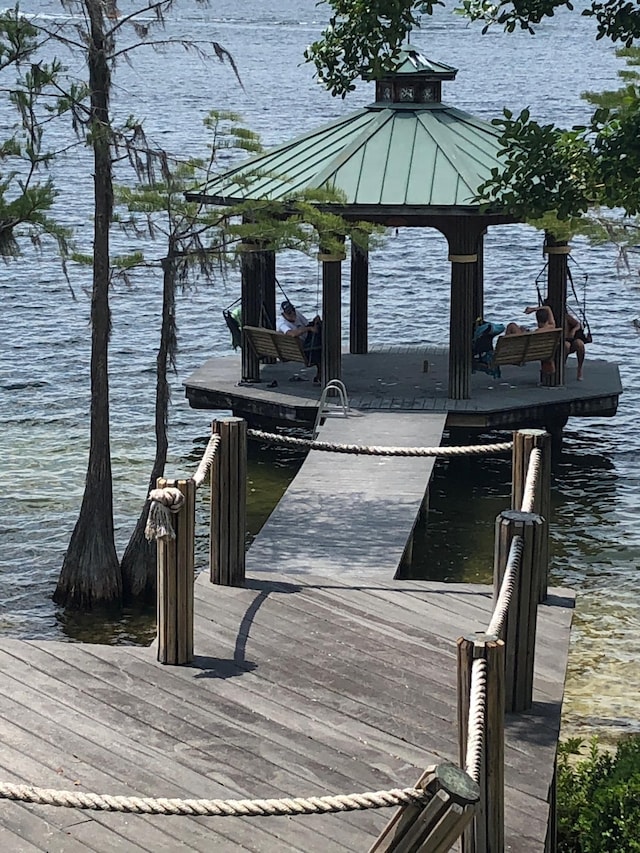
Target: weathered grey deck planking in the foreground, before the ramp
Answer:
[[304, 685]]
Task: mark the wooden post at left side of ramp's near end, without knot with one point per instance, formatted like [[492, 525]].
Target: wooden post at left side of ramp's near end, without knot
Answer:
[[228, 503]]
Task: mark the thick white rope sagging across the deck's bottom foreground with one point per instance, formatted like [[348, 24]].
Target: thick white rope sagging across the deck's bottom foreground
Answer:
[[214, 808]]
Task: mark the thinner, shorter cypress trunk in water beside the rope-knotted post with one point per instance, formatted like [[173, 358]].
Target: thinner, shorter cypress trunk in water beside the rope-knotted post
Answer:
[[138, 564]]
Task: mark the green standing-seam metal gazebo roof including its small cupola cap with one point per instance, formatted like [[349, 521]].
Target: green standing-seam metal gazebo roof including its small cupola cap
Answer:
[[406, 156]]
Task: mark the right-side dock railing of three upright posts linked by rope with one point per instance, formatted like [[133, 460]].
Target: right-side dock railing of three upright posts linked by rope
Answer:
[[495, 669]]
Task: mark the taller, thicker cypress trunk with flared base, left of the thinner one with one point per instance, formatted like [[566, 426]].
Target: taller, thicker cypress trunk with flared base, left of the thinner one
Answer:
[[90, 573]]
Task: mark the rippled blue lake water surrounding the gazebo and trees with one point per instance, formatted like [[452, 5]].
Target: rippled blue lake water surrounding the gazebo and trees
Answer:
[[44, 373]]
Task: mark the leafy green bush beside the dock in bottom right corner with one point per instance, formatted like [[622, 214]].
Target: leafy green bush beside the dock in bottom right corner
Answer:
[[599, 798]]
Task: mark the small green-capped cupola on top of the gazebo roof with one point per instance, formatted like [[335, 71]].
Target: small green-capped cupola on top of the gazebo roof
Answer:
[[414, 80]]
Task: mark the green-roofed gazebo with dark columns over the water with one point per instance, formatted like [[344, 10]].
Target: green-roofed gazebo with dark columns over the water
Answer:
[[407, 160]]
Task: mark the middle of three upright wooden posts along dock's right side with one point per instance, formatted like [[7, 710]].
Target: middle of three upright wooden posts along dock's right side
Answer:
[[519, 631]]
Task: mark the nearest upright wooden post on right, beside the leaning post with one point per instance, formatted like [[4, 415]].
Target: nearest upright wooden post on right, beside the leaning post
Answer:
[[485, 834]]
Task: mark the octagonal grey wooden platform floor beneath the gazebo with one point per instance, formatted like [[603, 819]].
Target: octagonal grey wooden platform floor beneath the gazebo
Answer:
[[394, 379]]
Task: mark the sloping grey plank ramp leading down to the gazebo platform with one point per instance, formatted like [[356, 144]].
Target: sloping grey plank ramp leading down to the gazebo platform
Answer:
[[351, 514]]
